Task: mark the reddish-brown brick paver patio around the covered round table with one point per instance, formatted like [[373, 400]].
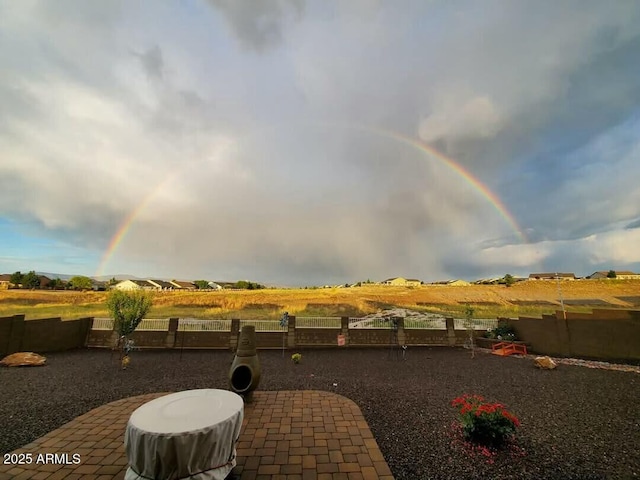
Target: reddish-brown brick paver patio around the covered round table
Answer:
[[289, 435]]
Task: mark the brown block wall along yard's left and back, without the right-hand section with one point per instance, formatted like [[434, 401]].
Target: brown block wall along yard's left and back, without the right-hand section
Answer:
[[54, 334]]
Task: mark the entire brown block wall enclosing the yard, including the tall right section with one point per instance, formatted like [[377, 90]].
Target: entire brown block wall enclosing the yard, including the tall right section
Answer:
[[603, 334]]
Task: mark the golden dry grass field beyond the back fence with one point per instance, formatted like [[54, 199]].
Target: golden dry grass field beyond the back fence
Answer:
[[530, 298]]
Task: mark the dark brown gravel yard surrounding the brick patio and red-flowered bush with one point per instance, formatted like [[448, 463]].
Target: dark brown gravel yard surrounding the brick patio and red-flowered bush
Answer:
[[577, 423]]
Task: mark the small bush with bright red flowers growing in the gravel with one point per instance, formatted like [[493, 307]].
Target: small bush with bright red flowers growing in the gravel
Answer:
[[483, 422]]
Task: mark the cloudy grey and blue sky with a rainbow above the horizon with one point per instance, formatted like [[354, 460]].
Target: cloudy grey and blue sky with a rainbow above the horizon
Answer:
[[299, 142]]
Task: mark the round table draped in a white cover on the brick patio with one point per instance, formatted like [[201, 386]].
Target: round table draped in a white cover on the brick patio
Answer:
[[190, 434]]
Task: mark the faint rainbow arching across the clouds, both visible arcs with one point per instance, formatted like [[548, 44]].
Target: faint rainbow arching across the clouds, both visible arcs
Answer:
[[492, 198]]
